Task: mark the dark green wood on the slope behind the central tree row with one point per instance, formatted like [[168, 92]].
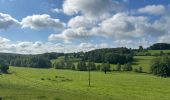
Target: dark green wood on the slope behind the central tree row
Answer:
[[111, 55]]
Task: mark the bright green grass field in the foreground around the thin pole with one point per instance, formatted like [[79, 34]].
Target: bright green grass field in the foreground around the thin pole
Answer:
[[52, 84]]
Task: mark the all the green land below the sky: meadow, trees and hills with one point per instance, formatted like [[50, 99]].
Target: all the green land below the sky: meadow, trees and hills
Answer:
[[101, 74]]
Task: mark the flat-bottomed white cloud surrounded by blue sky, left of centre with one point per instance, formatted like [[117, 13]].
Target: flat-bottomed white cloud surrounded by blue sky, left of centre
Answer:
[[41, 21]]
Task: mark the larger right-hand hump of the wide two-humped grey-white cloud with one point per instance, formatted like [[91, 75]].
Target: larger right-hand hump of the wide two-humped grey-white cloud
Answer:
[[123, 25]]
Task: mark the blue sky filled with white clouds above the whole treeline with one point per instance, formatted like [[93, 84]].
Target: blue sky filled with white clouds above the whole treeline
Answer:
[[40, 26]]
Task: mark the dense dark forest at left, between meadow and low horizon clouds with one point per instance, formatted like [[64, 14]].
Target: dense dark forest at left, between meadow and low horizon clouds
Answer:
[[36, 61]]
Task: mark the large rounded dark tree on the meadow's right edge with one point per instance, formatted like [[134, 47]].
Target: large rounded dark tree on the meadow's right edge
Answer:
[[161, 66]]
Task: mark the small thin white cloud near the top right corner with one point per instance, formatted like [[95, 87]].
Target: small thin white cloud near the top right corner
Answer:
[[153, 9]]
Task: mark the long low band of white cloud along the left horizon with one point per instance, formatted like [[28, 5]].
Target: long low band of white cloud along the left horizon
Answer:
[[38, 47]]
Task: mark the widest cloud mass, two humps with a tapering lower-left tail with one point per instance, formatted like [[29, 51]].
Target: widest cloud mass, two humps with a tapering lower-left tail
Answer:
[[119, 26]]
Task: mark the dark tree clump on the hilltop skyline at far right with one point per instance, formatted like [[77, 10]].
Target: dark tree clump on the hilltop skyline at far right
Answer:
[[160, 46]]
